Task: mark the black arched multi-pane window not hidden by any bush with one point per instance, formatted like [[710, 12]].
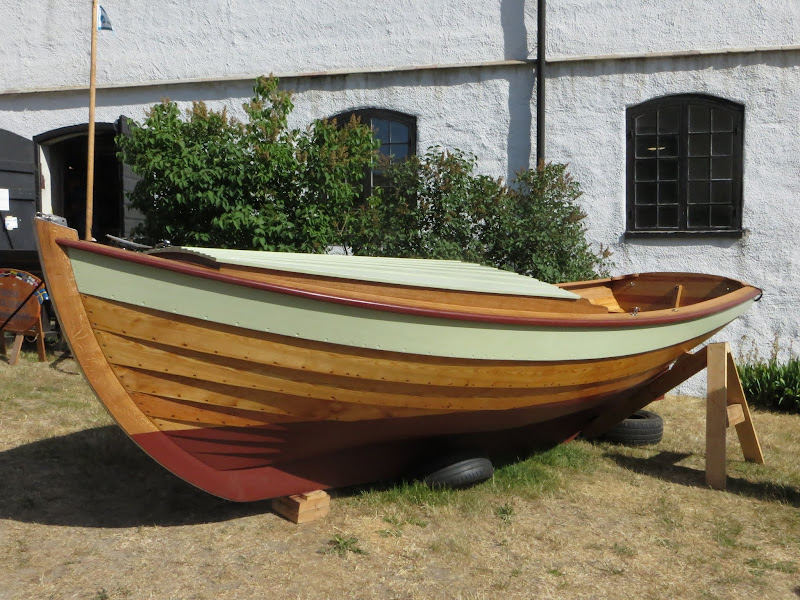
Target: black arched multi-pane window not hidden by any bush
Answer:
[[684, 165]]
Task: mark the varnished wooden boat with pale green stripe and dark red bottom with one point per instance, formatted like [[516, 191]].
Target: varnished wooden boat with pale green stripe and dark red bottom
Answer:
[[256, 375]]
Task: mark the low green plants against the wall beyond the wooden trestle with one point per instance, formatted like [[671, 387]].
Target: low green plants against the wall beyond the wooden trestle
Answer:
[[772, 385]]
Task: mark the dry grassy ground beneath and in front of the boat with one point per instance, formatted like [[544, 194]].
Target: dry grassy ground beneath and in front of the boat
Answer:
[[84, 514]]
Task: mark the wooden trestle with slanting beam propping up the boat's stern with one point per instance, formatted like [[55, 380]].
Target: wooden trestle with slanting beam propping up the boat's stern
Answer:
[[726, 407]]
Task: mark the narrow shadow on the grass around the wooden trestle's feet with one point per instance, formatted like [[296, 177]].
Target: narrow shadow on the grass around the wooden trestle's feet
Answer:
[[664, 466]]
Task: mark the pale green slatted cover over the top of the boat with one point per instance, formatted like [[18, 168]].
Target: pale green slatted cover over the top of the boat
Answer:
[[441, 274]]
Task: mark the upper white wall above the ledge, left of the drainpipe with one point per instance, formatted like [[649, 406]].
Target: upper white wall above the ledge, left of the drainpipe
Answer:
[[46, 45]]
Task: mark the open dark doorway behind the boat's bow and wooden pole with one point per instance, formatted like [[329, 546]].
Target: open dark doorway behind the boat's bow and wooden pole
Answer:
[[63, 163]]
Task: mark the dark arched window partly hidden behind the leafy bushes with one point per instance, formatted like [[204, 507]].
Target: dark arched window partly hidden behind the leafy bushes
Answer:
[[397, 133]]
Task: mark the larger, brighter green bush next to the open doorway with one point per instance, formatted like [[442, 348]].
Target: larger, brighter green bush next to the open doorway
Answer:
[[211, 180]]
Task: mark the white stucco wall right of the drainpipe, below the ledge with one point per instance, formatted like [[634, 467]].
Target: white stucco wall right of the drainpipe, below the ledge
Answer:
[[586, 127]]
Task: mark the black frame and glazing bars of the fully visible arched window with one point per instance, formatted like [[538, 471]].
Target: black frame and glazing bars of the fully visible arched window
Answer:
[[683, 102]]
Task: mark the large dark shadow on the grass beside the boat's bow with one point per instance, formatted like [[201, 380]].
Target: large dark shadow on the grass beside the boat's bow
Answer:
[[99, 478]]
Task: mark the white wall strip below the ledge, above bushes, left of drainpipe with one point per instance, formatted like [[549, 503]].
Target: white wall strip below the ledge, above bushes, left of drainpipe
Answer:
[[479, 110]]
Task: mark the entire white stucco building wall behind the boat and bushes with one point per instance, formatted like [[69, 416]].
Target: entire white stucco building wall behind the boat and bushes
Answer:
[[191, 51]]
